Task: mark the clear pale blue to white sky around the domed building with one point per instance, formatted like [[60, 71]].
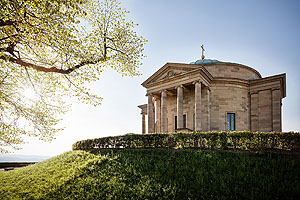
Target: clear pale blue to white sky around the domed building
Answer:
[[262, 34]]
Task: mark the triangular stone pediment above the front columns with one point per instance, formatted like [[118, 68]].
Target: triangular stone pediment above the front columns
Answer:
[[170, 70]]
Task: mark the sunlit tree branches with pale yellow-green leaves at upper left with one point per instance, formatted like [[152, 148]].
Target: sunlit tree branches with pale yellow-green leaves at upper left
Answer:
[[56, 47]]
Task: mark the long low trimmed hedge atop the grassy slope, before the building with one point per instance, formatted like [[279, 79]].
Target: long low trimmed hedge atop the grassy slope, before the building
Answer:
[[244, 140]]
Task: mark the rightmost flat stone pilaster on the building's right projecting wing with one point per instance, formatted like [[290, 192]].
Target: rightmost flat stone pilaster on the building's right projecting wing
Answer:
[[276, 110]]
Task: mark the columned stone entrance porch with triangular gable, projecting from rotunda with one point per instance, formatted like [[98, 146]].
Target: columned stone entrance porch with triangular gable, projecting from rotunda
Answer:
[[176, 104]]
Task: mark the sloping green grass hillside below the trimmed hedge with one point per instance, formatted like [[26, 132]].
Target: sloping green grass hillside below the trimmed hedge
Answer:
[[156, 174]]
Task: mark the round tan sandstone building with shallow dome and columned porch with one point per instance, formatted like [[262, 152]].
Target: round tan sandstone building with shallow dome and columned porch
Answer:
[[193, 97]]
